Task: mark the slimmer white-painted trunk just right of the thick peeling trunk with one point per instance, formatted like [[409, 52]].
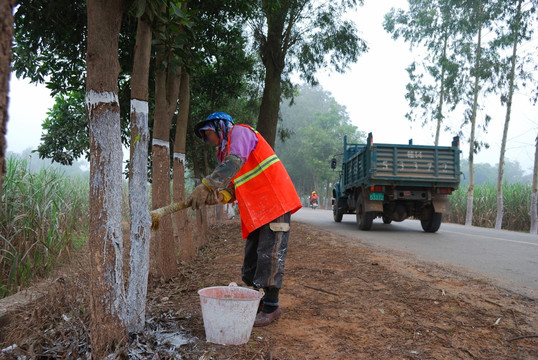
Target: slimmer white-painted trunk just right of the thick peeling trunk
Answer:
[[138, 189]]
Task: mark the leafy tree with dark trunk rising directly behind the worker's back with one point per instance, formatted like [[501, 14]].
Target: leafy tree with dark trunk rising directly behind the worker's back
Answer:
[[300, 36]]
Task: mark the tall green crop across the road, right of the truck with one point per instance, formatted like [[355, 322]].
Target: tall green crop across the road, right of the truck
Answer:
[[516, 198]]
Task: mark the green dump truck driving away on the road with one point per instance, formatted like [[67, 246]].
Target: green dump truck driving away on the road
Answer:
[[395, 182]]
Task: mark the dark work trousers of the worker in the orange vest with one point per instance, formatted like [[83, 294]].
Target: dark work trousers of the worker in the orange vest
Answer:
[[265, 253]]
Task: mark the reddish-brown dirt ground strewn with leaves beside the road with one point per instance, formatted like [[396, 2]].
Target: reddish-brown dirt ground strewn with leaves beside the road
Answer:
[[340, 300]]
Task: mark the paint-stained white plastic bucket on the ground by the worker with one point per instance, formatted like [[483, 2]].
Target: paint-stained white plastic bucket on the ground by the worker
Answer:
[[229, 313]]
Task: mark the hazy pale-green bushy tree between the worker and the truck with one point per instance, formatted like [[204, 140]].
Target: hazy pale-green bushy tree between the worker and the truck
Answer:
[[317, 125]]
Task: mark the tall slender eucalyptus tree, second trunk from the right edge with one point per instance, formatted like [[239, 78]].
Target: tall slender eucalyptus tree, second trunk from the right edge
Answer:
[[519, 17]]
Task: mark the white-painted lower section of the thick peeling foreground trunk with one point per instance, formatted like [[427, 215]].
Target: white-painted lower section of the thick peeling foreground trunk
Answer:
[[106, 242]]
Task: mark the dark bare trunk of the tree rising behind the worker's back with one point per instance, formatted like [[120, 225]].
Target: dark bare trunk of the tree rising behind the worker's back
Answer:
[[273, 54]]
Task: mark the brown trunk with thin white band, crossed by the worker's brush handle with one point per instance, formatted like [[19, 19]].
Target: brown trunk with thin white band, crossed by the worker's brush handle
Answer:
[[166, 94]]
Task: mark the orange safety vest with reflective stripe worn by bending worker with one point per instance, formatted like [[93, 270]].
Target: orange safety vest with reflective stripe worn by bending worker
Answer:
[[263, 188]]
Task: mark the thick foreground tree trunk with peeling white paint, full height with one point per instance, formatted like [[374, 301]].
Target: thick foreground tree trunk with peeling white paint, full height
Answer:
[[107, 295]]
